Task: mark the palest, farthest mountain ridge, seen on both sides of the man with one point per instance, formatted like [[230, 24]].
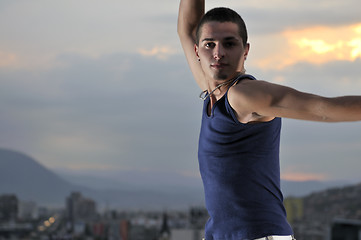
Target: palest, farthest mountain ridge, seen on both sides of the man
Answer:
[[166, 183]]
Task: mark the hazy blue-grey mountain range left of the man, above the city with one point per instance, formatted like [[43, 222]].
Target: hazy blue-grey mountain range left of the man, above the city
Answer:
[[30, 181]]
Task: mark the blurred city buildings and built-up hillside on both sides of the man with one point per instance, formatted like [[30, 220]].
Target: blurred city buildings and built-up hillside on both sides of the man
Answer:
[[333, 214]]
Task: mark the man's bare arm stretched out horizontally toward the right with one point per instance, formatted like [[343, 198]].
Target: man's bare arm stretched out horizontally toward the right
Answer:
[[253, 100]]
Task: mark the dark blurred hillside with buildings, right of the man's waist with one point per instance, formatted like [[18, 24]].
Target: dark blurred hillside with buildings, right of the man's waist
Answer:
[[335, 210]]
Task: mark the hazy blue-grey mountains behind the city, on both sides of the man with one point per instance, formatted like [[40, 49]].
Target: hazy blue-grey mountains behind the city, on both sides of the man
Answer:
[[29, 180]]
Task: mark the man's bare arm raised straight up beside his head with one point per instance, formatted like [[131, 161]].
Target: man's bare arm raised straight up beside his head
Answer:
[[190, 13]]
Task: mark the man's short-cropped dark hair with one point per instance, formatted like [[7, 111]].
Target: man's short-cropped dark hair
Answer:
[[223, 14]]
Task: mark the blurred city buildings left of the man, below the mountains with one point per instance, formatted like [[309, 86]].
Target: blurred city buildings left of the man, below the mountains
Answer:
[[79, 219]]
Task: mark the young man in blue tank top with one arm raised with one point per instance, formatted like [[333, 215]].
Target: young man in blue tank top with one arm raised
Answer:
[[241, 121]]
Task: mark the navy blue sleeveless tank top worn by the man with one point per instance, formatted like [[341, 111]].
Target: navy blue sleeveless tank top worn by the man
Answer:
[[239, 165]]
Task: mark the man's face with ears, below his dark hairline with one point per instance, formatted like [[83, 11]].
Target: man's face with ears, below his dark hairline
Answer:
[[220, 50]]
